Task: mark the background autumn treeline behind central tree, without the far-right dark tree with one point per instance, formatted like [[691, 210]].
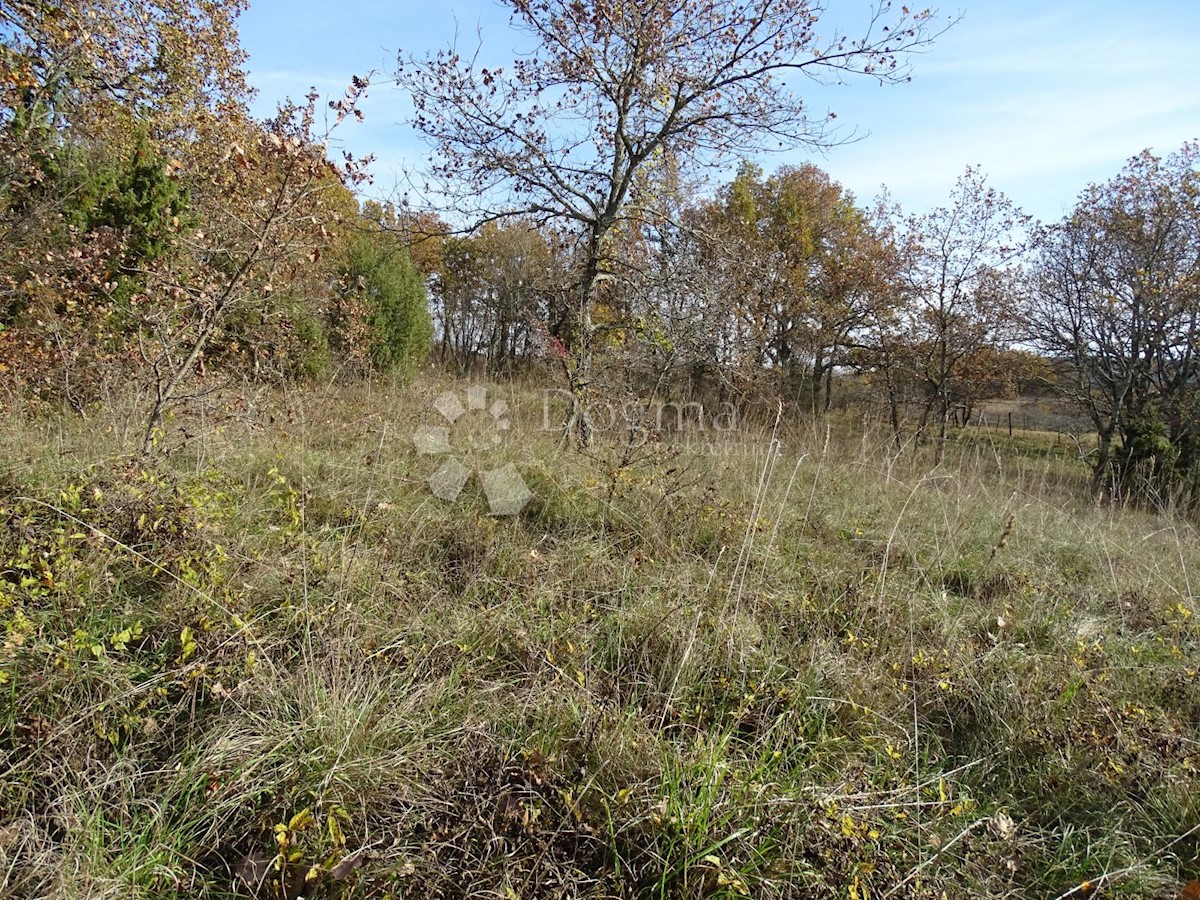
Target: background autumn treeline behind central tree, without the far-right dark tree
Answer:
[[766, 290]]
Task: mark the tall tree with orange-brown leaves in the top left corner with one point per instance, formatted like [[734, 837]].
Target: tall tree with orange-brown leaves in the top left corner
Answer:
[[103, 106]]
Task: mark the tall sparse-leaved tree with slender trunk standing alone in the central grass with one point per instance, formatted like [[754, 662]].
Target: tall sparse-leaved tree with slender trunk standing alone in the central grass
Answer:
[[609, 88]]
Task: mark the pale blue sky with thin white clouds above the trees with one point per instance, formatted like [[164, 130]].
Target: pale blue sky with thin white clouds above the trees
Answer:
[[1047, 98]]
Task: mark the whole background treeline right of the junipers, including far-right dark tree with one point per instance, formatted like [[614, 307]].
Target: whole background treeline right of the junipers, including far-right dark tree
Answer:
[[776, 284]]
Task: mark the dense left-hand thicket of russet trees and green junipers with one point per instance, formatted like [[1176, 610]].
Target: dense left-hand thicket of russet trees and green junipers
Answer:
[[152, 229]]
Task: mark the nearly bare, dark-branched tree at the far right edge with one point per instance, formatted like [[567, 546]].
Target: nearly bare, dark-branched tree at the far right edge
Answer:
[[1117, 304]]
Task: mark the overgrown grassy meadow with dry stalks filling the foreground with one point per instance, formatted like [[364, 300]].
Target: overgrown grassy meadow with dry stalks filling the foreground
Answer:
[[767, 662]]
